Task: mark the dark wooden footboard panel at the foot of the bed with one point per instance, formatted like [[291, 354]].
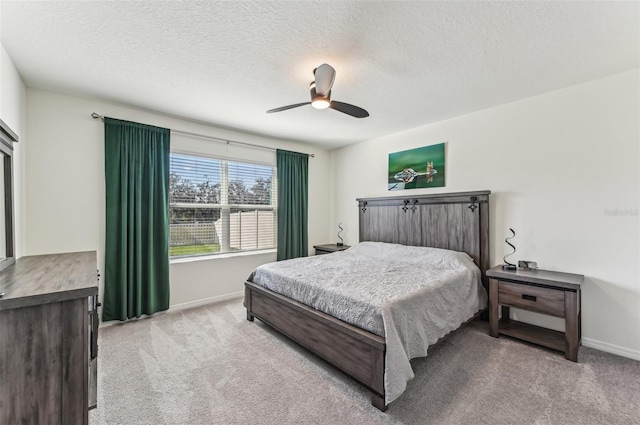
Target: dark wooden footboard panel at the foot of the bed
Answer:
[[358, 353]]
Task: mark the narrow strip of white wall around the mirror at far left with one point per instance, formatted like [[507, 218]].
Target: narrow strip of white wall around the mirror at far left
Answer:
[[13, 112]]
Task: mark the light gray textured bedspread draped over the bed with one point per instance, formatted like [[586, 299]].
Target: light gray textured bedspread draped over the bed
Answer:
[[412, 296]]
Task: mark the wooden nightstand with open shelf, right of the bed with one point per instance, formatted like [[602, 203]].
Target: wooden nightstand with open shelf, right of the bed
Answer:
[[551, 293]]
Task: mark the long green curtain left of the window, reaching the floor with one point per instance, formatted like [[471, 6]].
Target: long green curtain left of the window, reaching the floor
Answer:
[[137, 216]]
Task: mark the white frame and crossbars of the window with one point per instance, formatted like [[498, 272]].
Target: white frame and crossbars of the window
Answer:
[[225, 250]]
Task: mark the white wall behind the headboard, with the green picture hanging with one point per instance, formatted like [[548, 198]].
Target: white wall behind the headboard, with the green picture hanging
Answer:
[[556, 164]]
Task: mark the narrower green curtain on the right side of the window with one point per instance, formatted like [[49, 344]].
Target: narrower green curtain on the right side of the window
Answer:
[[293, 177]]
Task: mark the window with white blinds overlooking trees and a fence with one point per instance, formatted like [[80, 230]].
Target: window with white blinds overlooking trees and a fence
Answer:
[[218, 206]]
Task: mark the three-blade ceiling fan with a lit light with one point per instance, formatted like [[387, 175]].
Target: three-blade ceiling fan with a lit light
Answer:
[[320, 90]]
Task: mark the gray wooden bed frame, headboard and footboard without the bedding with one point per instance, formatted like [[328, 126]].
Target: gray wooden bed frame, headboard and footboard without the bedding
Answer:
[[456, 221]]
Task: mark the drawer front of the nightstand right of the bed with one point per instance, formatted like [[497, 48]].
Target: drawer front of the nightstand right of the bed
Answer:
[[534, 298]]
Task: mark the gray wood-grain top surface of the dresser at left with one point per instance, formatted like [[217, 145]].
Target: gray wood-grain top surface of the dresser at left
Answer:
[[42, 279]]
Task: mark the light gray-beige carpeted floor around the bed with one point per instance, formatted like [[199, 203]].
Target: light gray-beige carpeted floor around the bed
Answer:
[[211, 366]]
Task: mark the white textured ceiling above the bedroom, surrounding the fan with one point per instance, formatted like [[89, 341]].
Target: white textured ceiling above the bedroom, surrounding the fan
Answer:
[[407, 63]]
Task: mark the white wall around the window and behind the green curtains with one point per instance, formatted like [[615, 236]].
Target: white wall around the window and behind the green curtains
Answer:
[[65, 188]]
